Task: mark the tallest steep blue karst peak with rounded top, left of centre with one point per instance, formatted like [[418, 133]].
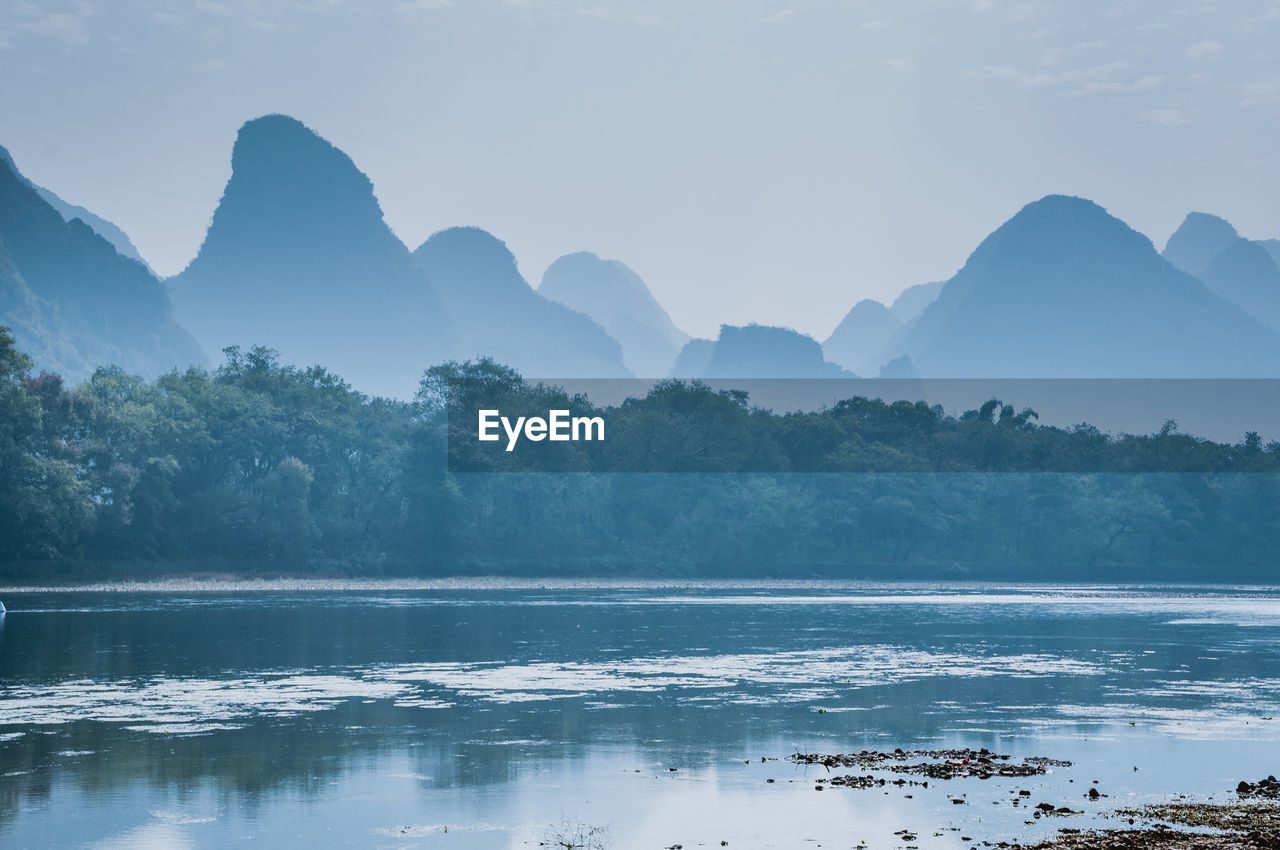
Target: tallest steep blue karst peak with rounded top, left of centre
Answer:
[[299, 258]]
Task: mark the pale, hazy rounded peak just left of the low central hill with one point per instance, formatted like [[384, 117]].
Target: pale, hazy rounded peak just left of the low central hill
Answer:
[[619, 300]]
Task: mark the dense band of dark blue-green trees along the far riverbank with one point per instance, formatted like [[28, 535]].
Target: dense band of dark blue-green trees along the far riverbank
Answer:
[[259, 468]]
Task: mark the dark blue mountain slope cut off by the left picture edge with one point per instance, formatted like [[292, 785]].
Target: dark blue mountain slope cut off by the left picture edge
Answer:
[[74, 301]]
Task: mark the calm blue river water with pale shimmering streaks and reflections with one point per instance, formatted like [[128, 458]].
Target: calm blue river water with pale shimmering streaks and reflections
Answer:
[[499, 716]]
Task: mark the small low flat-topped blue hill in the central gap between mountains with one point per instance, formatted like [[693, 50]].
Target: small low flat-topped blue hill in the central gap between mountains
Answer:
[[756, 351]]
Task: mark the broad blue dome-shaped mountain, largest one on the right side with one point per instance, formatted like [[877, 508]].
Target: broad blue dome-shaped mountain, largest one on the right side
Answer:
[[1066, 290]]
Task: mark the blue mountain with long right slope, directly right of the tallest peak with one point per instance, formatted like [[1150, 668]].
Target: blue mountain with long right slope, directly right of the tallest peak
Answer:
[[499, 314]]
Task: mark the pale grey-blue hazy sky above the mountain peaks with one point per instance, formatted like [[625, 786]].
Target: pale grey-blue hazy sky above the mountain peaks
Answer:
[[753, 161]]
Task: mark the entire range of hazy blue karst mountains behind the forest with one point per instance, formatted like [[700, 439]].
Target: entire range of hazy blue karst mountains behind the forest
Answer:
[[299, 258]]
